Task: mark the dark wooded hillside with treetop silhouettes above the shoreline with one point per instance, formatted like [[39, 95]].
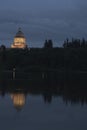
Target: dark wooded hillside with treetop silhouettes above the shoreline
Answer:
[[72, 57]]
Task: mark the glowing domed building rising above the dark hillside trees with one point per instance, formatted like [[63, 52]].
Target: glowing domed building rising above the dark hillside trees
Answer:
[[19, 40]]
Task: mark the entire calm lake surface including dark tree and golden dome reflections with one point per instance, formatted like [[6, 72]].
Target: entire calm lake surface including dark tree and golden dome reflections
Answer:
[[48, 104]]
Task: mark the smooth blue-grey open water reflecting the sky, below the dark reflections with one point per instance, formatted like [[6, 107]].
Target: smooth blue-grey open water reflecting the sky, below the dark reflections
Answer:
[[38, 115]]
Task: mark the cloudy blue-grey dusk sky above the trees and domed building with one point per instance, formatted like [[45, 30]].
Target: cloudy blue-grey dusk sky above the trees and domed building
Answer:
[[43, 19]]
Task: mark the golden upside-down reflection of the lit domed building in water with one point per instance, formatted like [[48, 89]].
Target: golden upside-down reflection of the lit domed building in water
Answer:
[[18, 100]]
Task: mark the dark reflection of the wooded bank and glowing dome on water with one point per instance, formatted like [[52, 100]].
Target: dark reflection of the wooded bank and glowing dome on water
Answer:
[[71, 87]]
